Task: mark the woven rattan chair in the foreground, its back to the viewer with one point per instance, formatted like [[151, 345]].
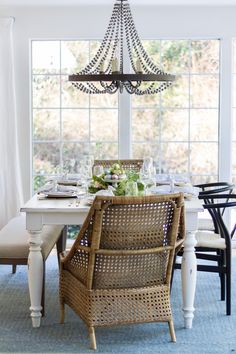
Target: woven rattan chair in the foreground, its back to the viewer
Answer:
[[119, 268]]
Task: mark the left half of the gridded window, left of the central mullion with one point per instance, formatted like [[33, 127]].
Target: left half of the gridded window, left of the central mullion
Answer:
[[66, 122]]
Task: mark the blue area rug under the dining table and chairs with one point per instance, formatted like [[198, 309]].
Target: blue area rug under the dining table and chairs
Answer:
[[212, 332]]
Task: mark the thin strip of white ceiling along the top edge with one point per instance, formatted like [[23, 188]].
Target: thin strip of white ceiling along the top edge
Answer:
[[110, 2]]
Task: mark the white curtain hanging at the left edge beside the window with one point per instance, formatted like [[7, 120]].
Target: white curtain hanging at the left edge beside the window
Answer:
[[10, 176]]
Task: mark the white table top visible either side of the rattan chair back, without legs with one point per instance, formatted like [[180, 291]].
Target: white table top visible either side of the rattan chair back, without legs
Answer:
[[35, 205]]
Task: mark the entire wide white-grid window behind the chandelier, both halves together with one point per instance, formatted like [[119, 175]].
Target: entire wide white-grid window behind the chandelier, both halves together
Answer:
[[178, 127]]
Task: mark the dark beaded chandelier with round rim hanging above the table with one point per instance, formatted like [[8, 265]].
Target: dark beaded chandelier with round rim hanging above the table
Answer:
[[105, 72]]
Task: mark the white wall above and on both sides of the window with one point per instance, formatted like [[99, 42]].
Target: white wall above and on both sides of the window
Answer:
[[90, 23]]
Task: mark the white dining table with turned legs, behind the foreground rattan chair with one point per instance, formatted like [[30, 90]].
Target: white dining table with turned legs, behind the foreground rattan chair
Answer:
[[41, 212]]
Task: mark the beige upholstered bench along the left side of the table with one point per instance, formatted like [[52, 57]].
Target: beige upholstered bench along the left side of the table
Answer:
[[14, 244]]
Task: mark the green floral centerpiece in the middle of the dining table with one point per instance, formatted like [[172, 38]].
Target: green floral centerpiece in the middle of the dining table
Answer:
[[118, 178]]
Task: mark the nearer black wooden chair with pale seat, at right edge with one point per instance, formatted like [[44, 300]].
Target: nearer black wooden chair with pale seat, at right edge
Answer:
[[216, 246]]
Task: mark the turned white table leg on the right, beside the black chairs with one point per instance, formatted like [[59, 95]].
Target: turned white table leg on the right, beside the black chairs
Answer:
[[189, 274]]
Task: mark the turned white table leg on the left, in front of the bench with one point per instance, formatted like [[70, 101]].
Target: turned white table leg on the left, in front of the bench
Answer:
[[35, 276]]
